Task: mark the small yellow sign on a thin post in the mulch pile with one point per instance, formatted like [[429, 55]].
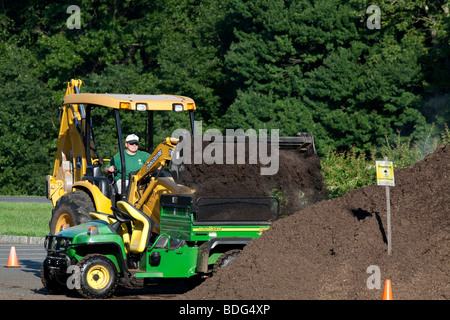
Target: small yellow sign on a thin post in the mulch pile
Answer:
[[385, 177]]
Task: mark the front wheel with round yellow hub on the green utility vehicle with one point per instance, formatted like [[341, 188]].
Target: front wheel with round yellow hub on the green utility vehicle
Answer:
[[98, 277]]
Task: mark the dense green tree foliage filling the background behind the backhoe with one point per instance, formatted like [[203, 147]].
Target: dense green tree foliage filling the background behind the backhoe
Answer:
[[293, 65]]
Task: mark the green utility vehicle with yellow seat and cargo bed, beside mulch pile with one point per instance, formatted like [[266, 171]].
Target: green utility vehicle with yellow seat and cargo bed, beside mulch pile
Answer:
[[196, 236]]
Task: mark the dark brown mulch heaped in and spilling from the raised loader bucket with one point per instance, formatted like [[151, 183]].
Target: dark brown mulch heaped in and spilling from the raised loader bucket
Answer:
[[298, 182]]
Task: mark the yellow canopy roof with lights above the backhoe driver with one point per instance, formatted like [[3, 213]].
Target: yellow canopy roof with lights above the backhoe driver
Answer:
[[133, 101]]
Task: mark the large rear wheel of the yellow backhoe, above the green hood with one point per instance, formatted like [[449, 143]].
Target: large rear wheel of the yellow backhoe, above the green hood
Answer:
[[72, 208]]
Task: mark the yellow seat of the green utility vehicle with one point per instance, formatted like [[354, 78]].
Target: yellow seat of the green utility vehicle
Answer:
[[143, 227]]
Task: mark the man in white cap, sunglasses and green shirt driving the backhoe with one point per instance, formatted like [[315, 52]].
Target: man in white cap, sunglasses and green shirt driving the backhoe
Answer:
[[134, 160]]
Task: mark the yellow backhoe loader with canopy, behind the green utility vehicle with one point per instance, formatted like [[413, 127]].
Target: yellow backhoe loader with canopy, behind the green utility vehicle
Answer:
[[78, 185]]
